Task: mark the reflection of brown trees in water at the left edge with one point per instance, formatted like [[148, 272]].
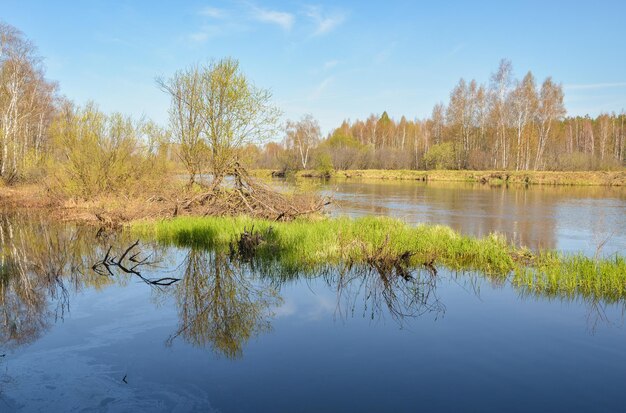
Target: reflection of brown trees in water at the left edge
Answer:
[[40, 266]]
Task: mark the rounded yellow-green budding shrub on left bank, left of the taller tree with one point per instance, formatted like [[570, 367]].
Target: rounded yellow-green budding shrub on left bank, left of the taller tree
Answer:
[[95, 153]]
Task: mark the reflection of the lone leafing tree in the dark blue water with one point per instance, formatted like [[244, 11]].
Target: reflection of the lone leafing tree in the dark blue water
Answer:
[[219, 305]]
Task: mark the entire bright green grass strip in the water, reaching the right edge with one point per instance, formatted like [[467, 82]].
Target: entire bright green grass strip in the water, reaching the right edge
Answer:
[[308, 245]]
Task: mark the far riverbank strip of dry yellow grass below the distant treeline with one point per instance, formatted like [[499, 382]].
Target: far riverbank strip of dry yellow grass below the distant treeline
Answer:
[[589, 178]]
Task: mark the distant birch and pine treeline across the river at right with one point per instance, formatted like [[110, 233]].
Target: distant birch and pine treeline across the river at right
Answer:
[[508, 124]]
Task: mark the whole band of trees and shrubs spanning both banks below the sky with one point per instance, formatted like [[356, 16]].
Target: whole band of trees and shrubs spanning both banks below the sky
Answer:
[[508, 124]]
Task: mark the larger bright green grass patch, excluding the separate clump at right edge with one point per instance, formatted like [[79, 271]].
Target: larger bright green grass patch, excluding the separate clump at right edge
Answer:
[[331, 241]]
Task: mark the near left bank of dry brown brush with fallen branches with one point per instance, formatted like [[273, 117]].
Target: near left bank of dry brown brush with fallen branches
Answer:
[[254, 198]]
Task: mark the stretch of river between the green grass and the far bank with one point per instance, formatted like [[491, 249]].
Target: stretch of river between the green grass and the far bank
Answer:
[[548, 217]]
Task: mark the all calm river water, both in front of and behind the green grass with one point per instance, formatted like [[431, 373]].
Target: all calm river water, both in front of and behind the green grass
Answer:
[[232, 336]]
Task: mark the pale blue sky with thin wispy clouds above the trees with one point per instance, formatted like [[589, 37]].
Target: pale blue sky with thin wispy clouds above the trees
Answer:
[[333, 59]]
